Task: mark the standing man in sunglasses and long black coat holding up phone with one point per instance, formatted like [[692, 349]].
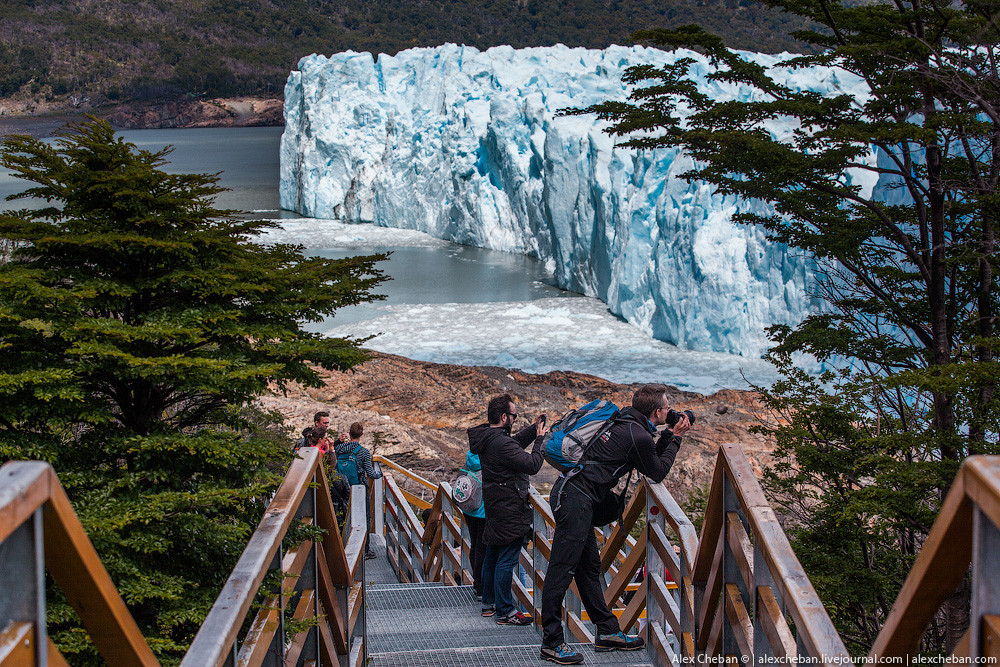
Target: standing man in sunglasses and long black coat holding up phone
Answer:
[[506, 468]]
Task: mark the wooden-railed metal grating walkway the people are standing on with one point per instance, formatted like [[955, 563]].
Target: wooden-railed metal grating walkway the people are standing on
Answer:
[[736, 592]]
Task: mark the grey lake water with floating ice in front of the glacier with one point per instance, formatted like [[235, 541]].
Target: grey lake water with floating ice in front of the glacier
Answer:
[[444, 302]]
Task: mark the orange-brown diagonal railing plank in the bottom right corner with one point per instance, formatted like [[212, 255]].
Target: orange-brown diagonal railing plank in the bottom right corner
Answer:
[[940, 566]]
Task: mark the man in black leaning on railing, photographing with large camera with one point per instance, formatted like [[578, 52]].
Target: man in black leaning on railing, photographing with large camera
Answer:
[[627, 446]]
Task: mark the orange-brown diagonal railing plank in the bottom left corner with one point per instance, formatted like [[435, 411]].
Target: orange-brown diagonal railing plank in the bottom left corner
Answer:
[[76, 568]]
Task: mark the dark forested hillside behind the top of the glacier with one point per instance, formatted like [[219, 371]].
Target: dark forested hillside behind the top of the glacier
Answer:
[[132, 50]]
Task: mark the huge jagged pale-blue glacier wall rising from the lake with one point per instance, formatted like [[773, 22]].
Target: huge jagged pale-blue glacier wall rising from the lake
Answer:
[[468, 146]]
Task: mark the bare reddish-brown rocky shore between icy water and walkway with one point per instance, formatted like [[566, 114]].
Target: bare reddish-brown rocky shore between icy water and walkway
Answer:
[[421, 410]]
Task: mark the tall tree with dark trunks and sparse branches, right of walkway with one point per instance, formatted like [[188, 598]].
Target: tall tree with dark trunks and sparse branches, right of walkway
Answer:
[[907, 269]]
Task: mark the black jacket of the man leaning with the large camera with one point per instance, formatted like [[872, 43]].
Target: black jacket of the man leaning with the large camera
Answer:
[[628, 446]]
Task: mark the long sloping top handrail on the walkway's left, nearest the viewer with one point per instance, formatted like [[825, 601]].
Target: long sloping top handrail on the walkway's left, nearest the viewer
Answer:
[[217, 634]]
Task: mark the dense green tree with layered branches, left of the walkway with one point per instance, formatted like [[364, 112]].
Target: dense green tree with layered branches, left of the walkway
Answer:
[[137, 326]]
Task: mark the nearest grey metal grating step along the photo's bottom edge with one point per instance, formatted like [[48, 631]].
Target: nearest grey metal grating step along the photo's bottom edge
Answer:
[[499, 656]]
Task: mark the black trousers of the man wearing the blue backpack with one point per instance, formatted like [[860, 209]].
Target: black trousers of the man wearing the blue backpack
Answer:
[[574, 557]]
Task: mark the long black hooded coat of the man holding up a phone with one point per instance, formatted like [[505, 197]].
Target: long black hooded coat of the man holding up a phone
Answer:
[[506, 468]]
